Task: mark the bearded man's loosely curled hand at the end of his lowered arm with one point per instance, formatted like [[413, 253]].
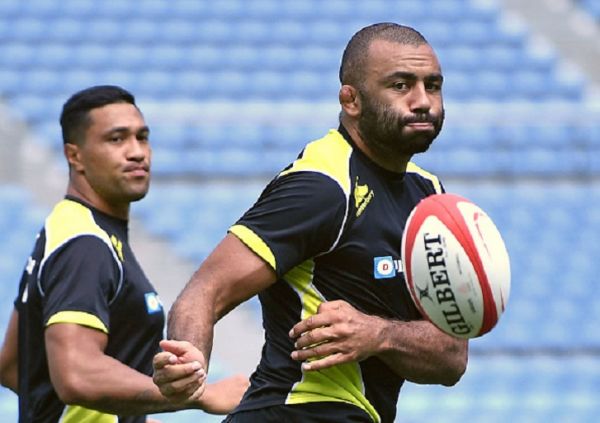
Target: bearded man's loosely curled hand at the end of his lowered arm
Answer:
[[180, 372]]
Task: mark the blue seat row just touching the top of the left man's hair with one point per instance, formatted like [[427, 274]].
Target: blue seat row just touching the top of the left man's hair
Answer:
[[276, 85]]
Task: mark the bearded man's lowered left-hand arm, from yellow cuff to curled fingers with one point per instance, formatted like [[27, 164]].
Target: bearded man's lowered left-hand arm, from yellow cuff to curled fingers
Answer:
[[230, 275]]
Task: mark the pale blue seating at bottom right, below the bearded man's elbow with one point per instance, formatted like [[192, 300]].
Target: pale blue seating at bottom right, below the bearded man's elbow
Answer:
[[497, 389]]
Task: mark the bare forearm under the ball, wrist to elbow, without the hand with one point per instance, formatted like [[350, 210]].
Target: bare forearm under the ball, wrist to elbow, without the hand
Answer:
[[421, 353]]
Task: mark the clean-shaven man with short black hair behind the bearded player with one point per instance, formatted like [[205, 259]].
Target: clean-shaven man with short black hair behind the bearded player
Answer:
[[87, 322]]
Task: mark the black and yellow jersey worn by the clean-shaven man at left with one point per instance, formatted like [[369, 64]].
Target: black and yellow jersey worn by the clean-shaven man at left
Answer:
[[83, 271]]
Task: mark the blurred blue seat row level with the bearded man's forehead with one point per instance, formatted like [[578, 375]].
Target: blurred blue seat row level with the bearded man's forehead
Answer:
[[92, 57]]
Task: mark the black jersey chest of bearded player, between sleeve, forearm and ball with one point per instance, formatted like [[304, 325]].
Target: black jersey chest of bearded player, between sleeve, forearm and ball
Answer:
[[366, 264]]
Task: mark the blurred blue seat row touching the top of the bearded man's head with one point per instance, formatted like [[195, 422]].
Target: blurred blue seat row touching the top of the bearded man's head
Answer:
[[249, 29]]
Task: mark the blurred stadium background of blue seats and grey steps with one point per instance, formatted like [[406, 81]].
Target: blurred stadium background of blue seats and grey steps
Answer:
[[233, 89]]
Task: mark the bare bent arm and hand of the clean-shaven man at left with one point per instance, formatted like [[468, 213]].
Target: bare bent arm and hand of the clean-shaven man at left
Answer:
[[82, 374]]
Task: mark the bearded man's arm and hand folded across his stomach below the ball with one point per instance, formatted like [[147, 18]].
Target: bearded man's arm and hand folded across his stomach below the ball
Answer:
[[415, 350]]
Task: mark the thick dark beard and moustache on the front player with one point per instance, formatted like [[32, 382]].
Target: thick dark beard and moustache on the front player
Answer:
[[381, 130]]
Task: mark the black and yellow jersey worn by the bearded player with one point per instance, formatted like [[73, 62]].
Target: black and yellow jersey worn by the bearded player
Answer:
[[331, 225]]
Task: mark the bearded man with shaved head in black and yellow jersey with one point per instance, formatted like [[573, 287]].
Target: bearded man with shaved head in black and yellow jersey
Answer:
[[342, 336]]
